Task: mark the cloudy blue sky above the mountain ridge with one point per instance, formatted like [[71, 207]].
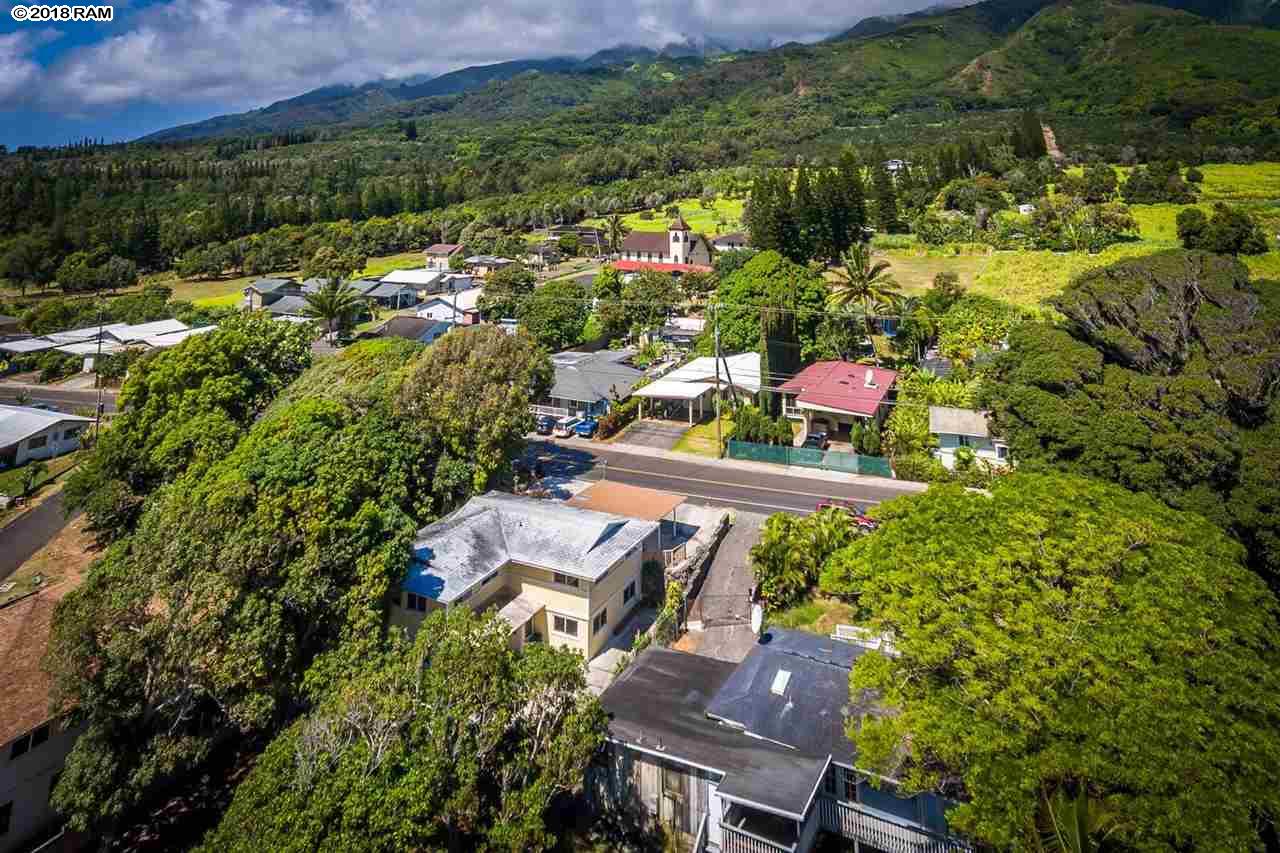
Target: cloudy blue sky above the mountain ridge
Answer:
[[168, 62]]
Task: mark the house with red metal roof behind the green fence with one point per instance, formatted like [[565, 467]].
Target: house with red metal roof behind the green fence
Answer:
[[833, 396]]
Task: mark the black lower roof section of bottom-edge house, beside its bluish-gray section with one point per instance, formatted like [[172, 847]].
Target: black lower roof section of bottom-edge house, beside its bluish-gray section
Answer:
[[659, 705]]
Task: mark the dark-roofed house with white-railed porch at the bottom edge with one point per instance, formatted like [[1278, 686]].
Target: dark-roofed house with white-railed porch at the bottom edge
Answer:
[[753, 758]]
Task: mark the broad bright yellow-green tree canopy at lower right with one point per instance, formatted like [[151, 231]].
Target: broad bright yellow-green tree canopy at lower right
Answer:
[[1064, 632]]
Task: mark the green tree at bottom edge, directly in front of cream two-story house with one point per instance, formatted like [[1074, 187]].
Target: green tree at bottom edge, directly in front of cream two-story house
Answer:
[[454, 742]]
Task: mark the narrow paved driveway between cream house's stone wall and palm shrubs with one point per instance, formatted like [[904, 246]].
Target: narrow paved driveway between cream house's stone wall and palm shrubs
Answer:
[[724, 603]]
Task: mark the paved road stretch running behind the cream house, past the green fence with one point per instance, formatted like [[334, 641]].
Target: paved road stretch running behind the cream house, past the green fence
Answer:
[[710, 482]]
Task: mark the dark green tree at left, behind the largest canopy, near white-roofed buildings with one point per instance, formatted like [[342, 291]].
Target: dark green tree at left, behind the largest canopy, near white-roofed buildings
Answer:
[[185, 407]]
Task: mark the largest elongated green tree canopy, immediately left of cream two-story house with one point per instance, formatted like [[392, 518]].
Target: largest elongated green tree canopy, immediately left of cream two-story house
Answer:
[[258, 580]]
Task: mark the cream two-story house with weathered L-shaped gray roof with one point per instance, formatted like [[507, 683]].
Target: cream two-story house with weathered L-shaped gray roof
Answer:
[[556, 573]]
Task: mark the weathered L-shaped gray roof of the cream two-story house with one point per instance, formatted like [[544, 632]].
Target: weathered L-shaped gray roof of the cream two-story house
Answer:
[[465, 548]]
